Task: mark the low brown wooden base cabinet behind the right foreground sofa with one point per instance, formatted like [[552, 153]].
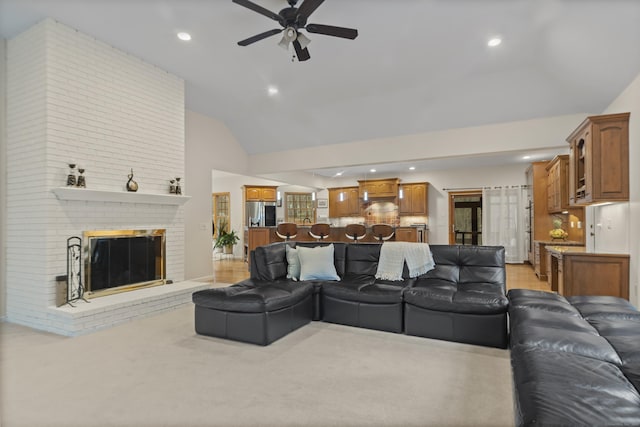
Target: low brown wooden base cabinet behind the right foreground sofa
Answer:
[[577, 272]]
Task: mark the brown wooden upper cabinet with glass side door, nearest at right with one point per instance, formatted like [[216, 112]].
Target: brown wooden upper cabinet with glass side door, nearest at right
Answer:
[[599, 160]]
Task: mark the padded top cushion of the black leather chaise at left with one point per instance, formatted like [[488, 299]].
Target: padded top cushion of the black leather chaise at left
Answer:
[[251, 296]]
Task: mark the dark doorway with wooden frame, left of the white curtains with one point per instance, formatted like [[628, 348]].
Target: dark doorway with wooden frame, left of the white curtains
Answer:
[[465, 217]]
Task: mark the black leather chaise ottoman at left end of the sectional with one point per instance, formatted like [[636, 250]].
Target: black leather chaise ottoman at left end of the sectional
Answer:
[[253, 311]]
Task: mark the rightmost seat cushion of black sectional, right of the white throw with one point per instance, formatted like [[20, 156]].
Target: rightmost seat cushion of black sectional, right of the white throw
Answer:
[[468, 298]]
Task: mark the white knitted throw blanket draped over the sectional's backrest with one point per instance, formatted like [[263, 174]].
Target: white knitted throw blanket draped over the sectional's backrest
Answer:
[[394, 254]]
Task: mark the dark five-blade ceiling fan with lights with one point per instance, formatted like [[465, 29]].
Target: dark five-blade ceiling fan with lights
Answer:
[[293, 19]]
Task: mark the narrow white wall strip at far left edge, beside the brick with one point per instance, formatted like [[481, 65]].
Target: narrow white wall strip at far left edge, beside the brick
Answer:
[[3, 178]]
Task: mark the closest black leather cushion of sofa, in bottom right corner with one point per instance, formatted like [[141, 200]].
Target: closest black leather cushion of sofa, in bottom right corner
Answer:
[[559, 388]]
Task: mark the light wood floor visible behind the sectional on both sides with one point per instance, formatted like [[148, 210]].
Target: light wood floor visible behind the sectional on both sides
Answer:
[[232, 271]]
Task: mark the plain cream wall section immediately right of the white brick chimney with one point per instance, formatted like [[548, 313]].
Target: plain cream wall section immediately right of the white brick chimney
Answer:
[[209, 145]]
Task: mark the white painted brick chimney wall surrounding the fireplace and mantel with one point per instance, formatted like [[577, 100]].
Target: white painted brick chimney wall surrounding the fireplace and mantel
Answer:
[[71, 98]]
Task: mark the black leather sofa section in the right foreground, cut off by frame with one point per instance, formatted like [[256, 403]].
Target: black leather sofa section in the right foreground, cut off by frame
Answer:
[[575, 360]]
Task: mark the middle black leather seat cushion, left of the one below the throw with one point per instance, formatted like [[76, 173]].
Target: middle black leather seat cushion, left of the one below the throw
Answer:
[[364, 291]]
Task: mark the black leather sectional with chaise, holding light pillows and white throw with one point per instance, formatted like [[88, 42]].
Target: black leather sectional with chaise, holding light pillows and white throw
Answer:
[[462, 299]]
